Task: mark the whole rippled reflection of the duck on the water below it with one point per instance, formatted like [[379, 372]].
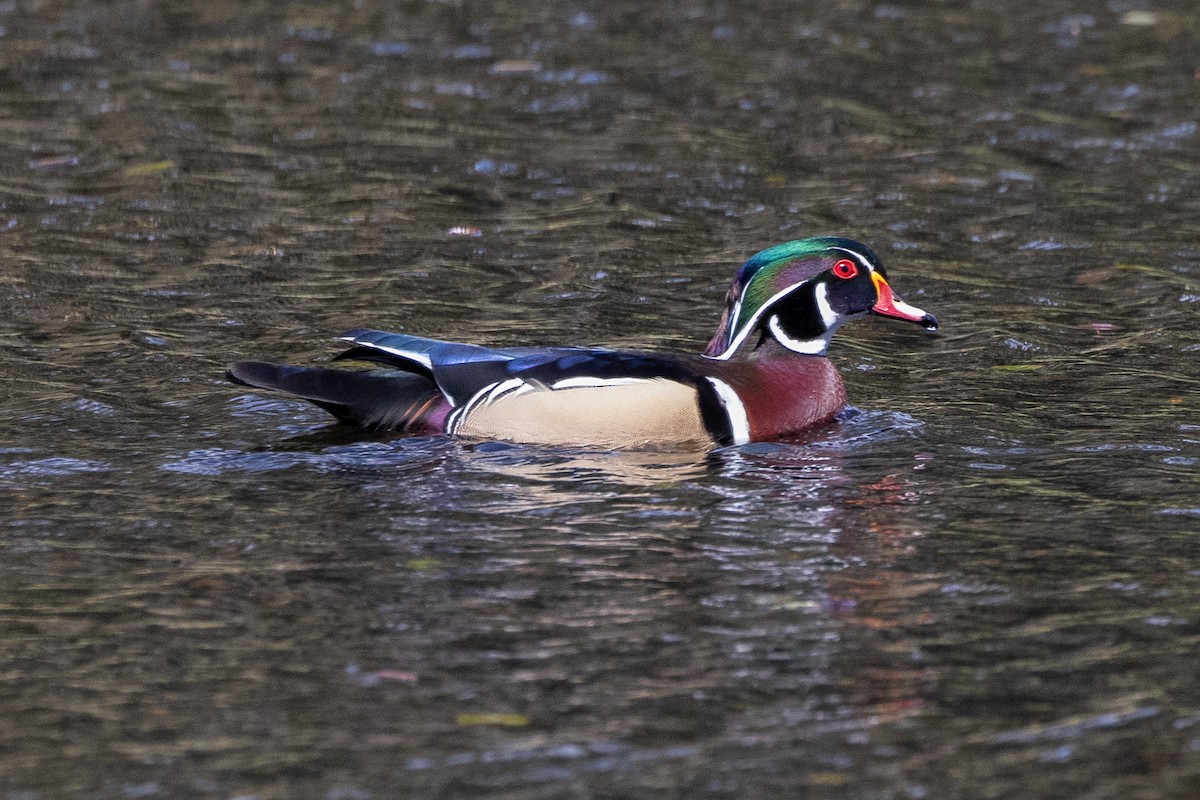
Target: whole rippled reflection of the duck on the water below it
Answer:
[[772, 590]]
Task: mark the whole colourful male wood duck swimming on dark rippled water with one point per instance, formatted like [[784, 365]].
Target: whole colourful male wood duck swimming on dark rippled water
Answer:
[[764, 377]]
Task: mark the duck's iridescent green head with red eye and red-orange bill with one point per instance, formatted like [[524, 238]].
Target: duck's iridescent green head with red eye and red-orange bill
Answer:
[[801, 292]]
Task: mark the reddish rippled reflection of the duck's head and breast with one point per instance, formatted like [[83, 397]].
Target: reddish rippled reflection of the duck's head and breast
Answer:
[[868, 594]]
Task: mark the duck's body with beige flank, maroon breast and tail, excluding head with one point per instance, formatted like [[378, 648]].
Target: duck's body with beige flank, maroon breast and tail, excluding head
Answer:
[[560, 396]]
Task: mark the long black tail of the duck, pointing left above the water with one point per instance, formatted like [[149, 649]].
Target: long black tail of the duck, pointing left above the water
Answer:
[[380, 400]]
